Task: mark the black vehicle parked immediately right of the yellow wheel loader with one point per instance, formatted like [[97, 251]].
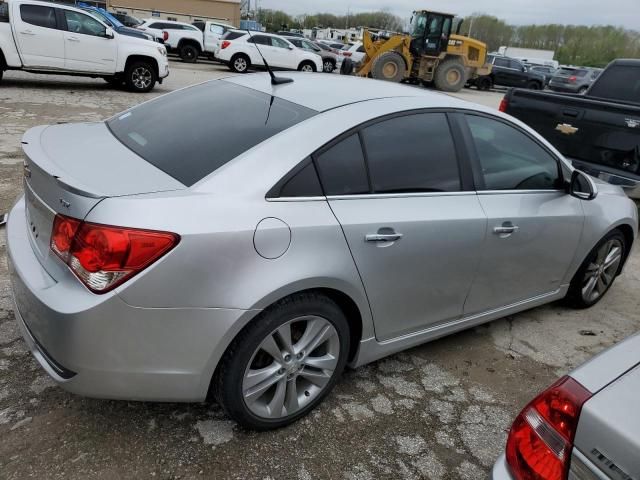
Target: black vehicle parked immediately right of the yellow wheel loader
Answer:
[[509, 72]]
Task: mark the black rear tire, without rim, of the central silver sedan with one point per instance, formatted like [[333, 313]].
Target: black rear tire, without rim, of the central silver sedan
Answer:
[[227, 384]]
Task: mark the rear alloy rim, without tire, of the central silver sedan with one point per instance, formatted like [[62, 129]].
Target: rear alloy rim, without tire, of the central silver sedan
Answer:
[[291, 367]]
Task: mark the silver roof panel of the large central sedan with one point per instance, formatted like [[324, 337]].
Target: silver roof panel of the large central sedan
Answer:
[[344, 90]]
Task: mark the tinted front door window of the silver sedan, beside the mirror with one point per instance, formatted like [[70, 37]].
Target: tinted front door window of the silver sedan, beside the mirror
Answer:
[[511, 160]]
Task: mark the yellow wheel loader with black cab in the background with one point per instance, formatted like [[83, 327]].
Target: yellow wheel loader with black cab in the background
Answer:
[[431, 54]]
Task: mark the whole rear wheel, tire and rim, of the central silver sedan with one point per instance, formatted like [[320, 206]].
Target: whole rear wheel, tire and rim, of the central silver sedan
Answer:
[[284, 363]]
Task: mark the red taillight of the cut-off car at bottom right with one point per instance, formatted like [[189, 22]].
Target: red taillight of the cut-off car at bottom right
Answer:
[[541, 438]]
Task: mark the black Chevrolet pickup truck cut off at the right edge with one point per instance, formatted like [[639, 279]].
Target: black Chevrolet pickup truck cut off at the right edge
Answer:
[[599, 132]]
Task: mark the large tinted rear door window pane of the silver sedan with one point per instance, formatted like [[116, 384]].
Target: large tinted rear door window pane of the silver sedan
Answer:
[[414, 153]]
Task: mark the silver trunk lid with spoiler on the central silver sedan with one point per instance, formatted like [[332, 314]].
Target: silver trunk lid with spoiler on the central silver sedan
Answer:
[[69, 169]]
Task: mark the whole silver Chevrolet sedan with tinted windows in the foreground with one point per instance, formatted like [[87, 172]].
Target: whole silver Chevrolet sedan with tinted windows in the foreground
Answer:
[[246, 241]]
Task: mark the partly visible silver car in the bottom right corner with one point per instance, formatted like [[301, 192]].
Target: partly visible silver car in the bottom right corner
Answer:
[[585, 426]]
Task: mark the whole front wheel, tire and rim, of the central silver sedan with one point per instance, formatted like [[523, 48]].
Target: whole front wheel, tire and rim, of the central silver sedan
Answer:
[[598, 272]]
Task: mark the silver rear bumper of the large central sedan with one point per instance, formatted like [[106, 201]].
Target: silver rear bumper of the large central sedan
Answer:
[[99, 346]]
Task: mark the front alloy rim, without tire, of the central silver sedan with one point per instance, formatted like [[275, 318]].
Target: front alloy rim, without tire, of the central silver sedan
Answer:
[[601, 272]]
